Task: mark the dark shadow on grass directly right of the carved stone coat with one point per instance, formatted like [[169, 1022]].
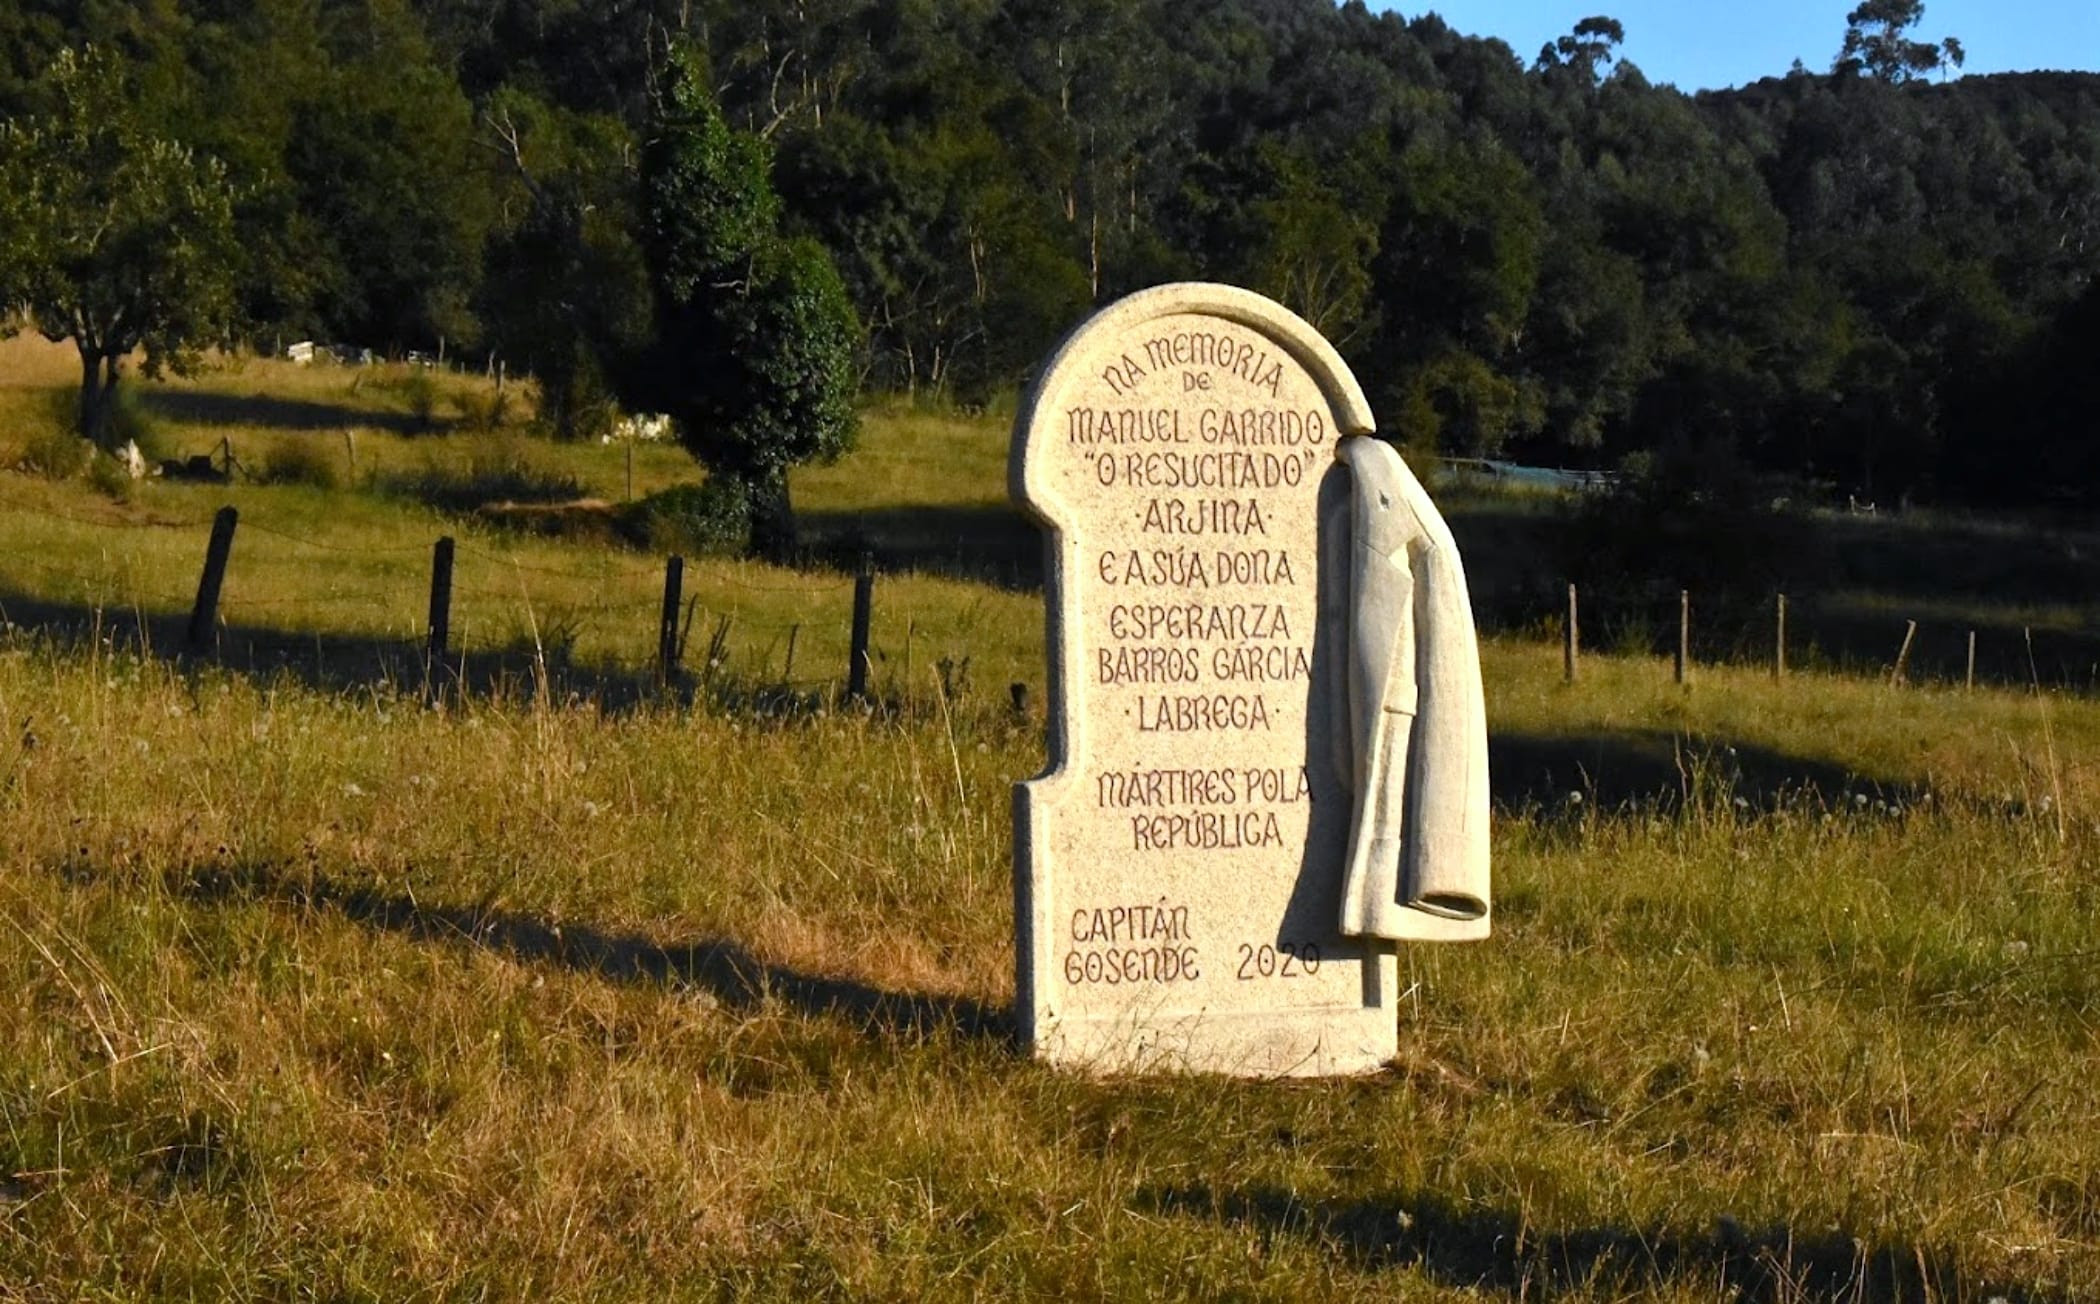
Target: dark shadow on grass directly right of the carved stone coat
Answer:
[[1660, 767]]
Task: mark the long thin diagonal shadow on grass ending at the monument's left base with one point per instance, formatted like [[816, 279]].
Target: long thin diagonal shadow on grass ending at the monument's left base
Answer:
[[719, 967]]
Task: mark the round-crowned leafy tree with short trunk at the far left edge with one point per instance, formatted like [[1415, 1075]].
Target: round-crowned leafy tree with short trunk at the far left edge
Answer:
[[117, 238]]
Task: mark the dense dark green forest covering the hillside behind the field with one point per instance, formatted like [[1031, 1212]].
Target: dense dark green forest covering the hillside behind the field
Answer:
[[1868, 280]]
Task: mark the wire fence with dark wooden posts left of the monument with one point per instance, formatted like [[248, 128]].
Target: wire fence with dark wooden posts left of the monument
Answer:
[[444, 610]]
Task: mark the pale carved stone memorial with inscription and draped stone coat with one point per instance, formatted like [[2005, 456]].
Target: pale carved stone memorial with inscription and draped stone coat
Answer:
[[1267, 740]]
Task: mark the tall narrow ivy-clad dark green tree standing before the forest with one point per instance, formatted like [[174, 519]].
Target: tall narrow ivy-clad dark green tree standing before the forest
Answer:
[[755, 337]]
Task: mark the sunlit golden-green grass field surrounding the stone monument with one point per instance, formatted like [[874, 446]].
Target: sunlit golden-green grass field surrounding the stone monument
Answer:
[[587, 994]]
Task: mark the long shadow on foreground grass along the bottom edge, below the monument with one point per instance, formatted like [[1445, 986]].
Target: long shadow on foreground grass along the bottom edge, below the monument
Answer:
[[1496, 1253]]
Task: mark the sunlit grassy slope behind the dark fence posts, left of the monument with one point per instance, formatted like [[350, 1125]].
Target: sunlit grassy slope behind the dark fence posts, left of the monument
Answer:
[[335, 585]]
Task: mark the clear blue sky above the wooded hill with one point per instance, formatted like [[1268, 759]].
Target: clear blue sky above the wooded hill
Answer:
[[1725, 43]]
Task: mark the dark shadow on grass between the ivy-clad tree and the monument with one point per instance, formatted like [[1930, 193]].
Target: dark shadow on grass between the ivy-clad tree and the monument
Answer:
[[990, 545]]
